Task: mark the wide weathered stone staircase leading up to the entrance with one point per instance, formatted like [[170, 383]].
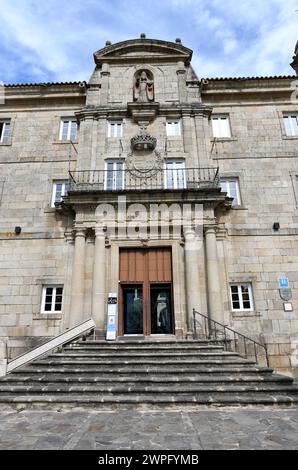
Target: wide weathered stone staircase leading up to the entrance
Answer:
[[144, 374]]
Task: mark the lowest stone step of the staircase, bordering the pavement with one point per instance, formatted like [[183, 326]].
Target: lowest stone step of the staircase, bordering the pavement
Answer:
[[150, 400]]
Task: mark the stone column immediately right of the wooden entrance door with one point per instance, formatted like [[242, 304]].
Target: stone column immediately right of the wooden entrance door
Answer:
[[191, 250]]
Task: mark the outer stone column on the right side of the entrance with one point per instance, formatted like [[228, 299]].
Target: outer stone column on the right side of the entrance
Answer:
[[215, 306]]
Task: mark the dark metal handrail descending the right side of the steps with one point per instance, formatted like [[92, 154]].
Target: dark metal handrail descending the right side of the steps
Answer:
[[211, 331]]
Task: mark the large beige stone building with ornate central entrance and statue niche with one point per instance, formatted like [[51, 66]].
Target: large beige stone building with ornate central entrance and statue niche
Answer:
[[172, 192]]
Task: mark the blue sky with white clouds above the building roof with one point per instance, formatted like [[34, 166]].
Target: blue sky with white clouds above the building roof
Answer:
[[54, 40]]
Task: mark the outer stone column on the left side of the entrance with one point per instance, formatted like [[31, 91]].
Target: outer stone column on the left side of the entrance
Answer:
[[78, 278]]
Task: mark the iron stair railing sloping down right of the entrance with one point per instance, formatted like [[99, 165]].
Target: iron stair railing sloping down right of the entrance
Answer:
[[232, 340]]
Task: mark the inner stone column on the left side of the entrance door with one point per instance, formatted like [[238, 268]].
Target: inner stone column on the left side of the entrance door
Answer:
[[99, 280]]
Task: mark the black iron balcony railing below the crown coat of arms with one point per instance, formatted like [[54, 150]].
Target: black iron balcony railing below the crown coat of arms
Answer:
[[126, 180]]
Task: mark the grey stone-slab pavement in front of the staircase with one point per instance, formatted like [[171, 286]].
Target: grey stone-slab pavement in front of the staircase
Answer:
[[148, 430]]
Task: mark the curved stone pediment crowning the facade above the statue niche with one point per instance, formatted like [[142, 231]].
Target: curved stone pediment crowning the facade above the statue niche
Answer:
[[142, 48]]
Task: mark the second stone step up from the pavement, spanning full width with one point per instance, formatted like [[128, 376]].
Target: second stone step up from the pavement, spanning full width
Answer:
[[144, 389]]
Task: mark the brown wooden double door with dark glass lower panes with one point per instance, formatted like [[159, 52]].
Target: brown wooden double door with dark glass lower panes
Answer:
[[145, 300]]
